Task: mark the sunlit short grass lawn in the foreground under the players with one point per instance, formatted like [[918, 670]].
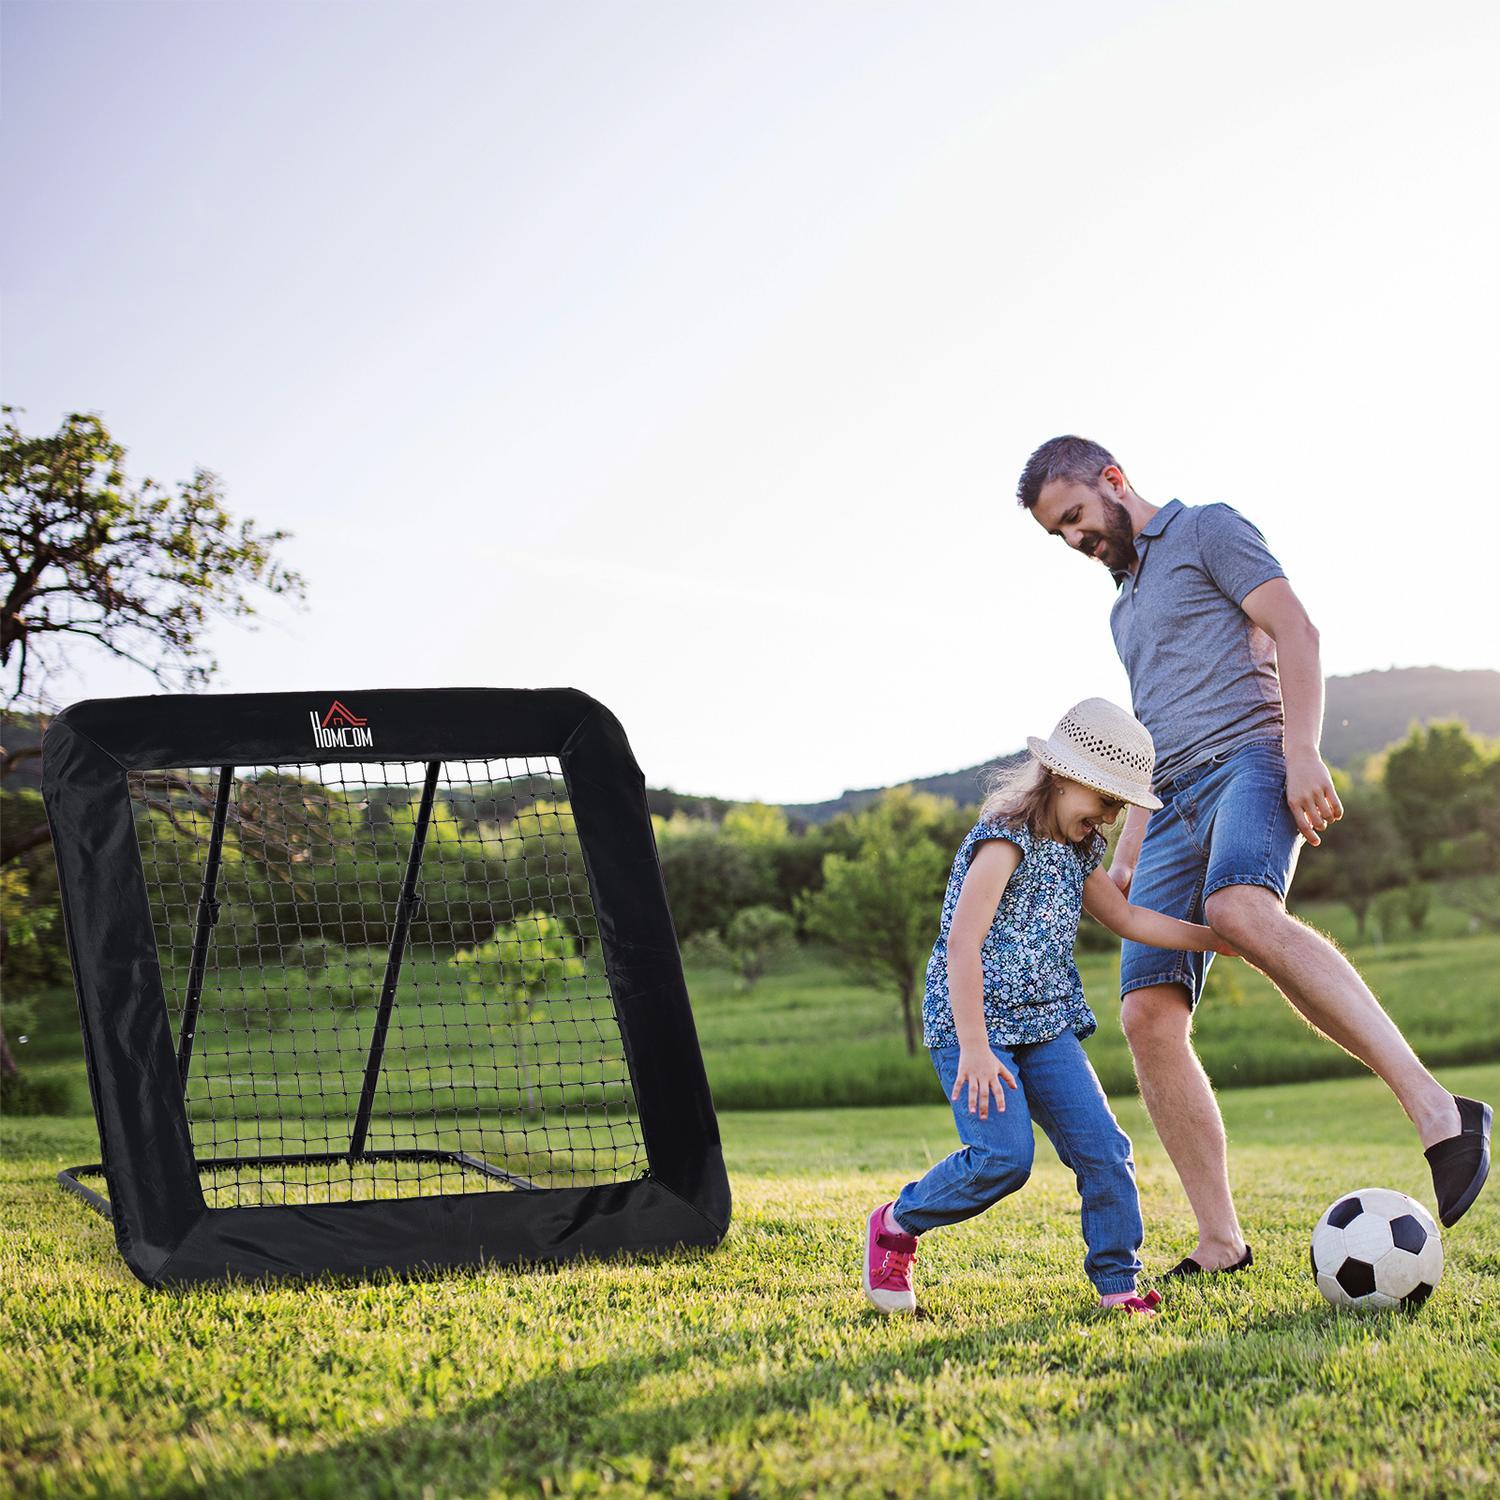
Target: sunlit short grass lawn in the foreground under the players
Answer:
[[757, 1370]]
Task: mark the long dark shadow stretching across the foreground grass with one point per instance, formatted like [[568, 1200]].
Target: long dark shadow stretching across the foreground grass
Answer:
[[604, 1418]]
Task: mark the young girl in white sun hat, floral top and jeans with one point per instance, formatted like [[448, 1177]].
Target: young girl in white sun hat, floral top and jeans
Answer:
[[1004, 1007]]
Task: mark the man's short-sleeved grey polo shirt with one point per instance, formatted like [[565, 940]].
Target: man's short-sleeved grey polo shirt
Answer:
[[1202, 674]]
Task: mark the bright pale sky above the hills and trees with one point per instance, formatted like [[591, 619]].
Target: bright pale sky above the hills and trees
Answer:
[[689, 353]]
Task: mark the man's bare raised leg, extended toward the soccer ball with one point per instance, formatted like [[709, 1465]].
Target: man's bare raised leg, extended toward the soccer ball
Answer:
[[1322, 985]]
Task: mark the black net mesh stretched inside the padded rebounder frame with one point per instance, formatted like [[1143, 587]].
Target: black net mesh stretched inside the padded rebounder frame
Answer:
[[502, 1066]]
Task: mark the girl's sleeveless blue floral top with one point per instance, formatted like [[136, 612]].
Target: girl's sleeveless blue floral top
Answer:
[[1033, 991]]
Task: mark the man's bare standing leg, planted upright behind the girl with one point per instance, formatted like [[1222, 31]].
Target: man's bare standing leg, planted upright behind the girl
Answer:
[[1181, 1103]]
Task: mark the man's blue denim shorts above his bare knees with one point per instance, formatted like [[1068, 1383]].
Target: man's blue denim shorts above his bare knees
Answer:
[[1223, 823]]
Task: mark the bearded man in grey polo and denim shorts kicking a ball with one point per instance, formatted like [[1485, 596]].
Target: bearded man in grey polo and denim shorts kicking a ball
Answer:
[[1225, 673]]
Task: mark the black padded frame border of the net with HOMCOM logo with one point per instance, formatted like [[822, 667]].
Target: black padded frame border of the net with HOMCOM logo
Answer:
[[164, 1226]]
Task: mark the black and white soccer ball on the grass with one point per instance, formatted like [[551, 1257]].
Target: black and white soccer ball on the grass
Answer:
[[1378, 1249]]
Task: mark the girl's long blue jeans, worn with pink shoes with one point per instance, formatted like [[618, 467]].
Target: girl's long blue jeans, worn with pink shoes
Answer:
[[1060, 1091]]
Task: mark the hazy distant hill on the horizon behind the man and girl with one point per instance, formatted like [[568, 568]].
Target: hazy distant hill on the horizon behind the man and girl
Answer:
[[1363, 715]]
